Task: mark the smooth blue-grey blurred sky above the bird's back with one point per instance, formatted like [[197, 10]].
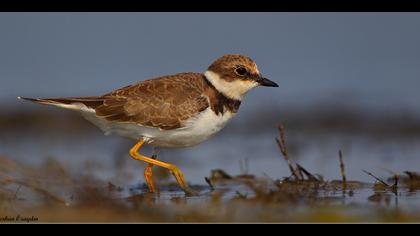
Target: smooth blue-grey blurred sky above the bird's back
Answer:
[[370, 60]]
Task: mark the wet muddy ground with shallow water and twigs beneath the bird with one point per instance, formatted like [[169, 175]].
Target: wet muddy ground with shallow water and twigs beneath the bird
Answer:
[[66, 170]]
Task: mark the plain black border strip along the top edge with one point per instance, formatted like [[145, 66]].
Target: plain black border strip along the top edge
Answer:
[[209, 5]]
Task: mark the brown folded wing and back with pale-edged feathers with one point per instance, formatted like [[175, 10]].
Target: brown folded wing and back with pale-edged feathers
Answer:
[[164, 102]]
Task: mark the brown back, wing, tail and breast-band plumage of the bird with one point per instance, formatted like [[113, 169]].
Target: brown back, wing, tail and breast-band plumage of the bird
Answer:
[[164, 102]]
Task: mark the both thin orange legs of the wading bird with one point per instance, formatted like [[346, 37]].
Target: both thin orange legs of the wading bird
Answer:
[[179, 176]]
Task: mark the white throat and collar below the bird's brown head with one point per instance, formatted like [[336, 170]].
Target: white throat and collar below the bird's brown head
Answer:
[[235, 89]]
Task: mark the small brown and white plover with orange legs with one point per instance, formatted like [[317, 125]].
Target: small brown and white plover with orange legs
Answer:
[[172, 111]]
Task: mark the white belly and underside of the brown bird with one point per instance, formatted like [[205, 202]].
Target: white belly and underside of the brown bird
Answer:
[[196, 130]]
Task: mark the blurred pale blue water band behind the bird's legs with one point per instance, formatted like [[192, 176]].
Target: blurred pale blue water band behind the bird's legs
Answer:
[[316, 152]]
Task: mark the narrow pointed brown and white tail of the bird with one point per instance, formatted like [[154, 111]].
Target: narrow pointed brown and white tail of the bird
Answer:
[[69, 103]]
